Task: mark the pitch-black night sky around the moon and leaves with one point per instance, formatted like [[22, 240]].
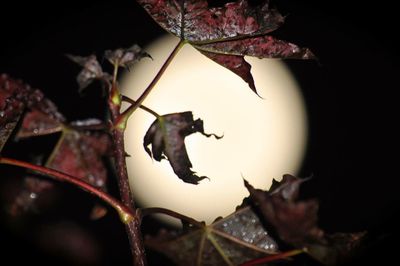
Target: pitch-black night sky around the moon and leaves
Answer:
[[350, 95]]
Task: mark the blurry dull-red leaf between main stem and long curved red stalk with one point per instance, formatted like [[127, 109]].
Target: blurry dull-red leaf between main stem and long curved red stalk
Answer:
[[80, 154]]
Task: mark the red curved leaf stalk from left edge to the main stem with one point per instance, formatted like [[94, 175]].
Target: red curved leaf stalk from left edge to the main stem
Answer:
[[124, 212]]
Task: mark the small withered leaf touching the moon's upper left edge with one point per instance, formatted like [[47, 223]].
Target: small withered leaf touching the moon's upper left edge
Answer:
[[125, 57]]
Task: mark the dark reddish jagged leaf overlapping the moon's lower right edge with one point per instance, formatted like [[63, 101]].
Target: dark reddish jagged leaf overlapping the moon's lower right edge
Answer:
[[295, 222]]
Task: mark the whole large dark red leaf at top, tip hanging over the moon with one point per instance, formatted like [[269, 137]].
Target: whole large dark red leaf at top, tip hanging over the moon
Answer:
[[226, 34]]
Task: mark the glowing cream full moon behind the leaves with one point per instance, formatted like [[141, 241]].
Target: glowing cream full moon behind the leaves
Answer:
[[264, 138]]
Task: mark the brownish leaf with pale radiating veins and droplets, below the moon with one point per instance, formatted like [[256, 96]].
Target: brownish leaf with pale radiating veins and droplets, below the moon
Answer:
[[233, 240]]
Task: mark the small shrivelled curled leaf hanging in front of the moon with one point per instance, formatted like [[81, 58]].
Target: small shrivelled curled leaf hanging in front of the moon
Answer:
[[167, 138]]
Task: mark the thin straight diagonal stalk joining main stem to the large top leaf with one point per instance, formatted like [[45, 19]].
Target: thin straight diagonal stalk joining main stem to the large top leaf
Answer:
[[122, 119]]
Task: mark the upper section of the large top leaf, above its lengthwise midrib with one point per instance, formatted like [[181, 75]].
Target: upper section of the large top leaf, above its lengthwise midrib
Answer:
[[195, 21]]
